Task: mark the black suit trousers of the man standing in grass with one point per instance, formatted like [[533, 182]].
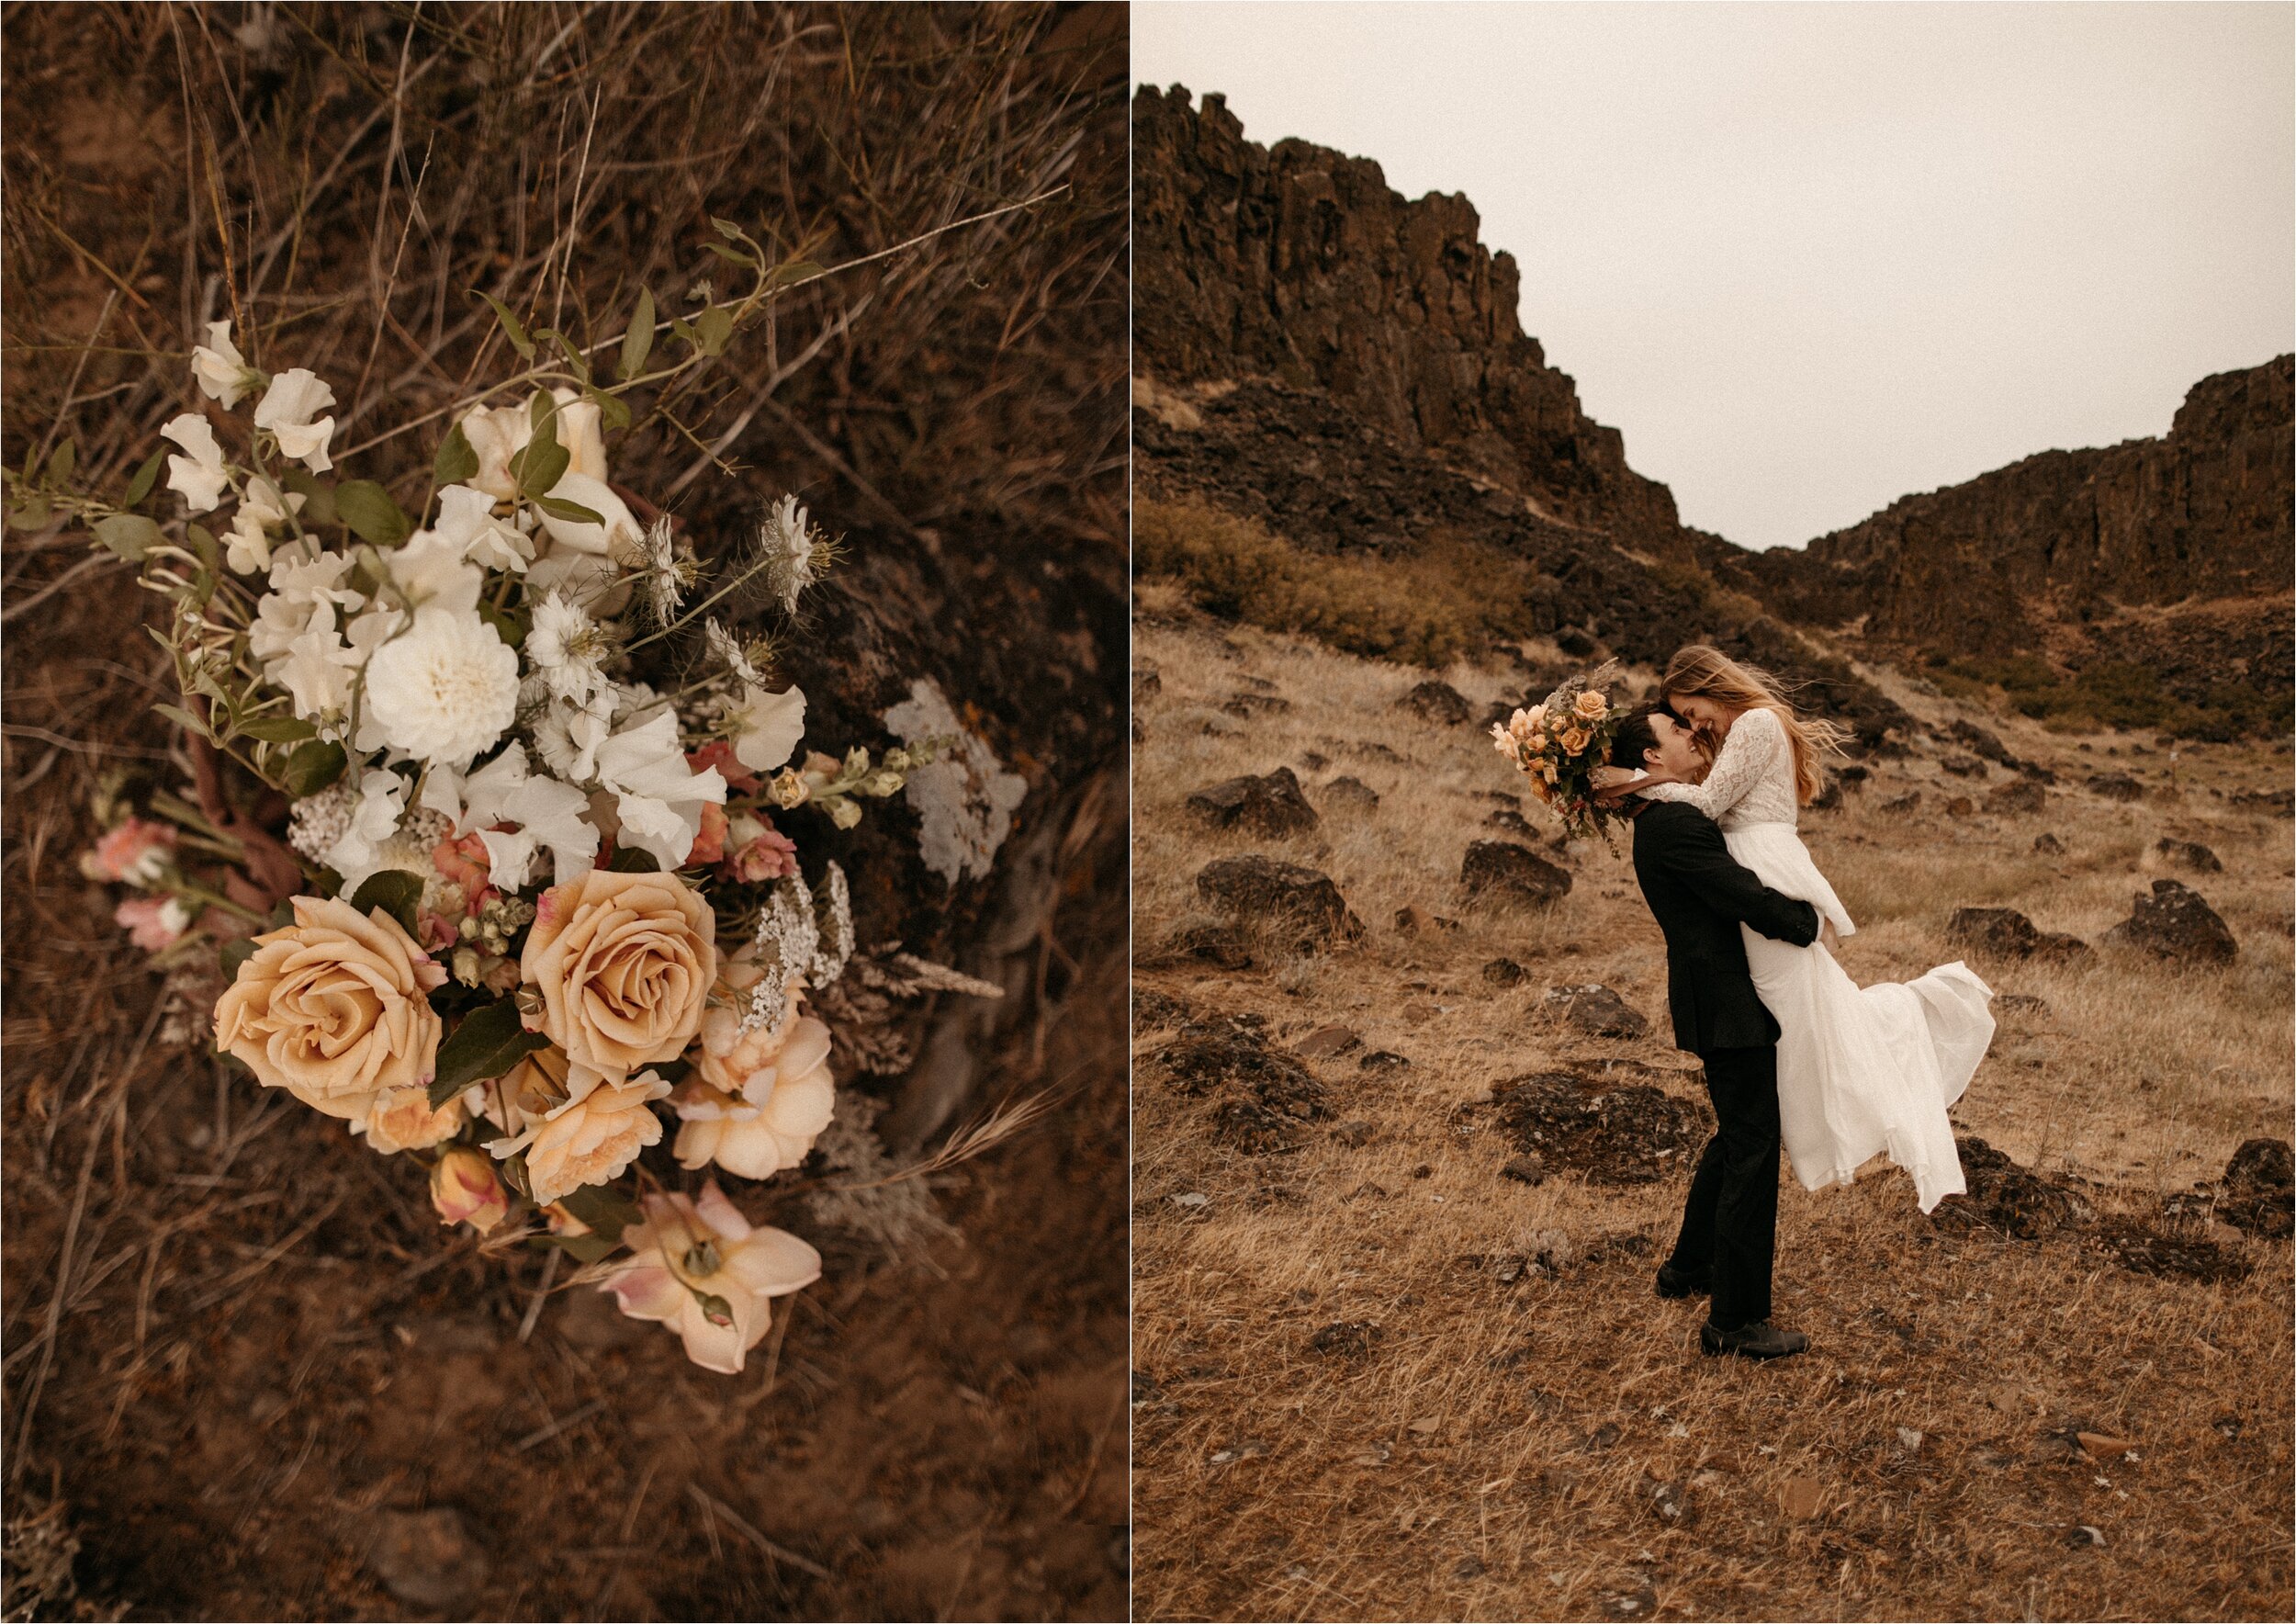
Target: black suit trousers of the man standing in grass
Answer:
[[1730, 1221]]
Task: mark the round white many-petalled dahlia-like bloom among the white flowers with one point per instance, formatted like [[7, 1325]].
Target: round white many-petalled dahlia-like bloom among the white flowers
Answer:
[[442, 690]]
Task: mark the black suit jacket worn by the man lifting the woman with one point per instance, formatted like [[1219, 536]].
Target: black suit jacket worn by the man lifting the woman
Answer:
[[1700, 895]]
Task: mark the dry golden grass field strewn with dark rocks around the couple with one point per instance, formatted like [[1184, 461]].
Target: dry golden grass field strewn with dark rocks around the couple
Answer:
[[1379, 1379]]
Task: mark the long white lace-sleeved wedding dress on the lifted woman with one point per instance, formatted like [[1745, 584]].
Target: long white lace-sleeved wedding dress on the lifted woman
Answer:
[[1861, 1072]]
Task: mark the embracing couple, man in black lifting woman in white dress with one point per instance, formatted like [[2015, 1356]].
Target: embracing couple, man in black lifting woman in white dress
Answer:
[[1797, 1053]]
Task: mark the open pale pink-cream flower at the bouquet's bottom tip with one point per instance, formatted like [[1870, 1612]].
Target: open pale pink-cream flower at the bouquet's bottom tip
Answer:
[[701, 1269]]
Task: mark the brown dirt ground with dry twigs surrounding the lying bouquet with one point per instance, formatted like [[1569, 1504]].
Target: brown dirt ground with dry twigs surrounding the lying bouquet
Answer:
[[247, 1370]]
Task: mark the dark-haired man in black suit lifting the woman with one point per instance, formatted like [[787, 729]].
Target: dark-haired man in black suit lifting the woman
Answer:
[[1700, 895]]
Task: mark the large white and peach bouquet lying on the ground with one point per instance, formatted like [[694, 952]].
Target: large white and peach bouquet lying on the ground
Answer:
[[502, 904]]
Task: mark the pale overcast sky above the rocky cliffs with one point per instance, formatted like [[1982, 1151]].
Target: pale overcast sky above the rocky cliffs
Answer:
[[1813, 258]]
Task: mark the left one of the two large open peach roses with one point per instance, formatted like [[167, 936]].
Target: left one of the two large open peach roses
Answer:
[[334, 1010]]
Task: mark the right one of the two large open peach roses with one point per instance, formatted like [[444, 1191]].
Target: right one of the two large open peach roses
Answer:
[[623, 964]]
